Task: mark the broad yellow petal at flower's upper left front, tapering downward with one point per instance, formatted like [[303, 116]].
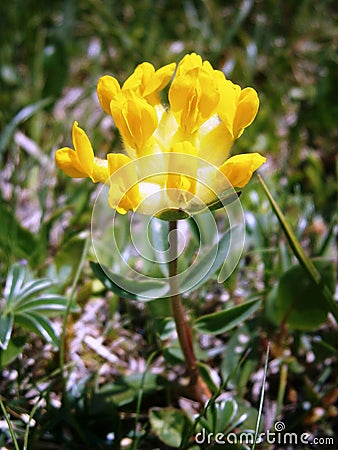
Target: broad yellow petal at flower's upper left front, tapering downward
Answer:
[[135, 119]]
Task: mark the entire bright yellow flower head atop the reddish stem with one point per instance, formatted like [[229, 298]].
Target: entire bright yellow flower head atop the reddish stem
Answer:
[[172, 154]]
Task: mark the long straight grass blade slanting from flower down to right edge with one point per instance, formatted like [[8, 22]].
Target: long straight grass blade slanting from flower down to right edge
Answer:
[[303, 259]]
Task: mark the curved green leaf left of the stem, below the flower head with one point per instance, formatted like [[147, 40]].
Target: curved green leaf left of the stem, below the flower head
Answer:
[[132, 289]]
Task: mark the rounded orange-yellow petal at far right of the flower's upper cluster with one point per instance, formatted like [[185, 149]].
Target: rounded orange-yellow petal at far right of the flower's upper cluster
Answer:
[[246, 110]]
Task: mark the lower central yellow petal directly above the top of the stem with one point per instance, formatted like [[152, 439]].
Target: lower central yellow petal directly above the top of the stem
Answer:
[[182, 172]]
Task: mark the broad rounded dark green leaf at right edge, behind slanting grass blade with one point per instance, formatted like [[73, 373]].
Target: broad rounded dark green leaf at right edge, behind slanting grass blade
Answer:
[[299, 301]]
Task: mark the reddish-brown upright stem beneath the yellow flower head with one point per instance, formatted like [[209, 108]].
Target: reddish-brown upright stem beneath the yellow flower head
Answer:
[[199, 389]]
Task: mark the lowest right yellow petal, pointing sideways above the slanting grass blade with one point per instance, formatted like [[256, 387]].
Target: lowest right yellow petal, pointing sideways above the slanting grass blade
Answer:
[[239, 168]]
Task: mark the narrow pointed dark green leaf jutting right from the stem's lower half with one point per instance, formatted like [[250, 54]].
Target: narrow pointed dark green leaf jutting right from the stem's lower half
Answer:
[[220, 322]]
